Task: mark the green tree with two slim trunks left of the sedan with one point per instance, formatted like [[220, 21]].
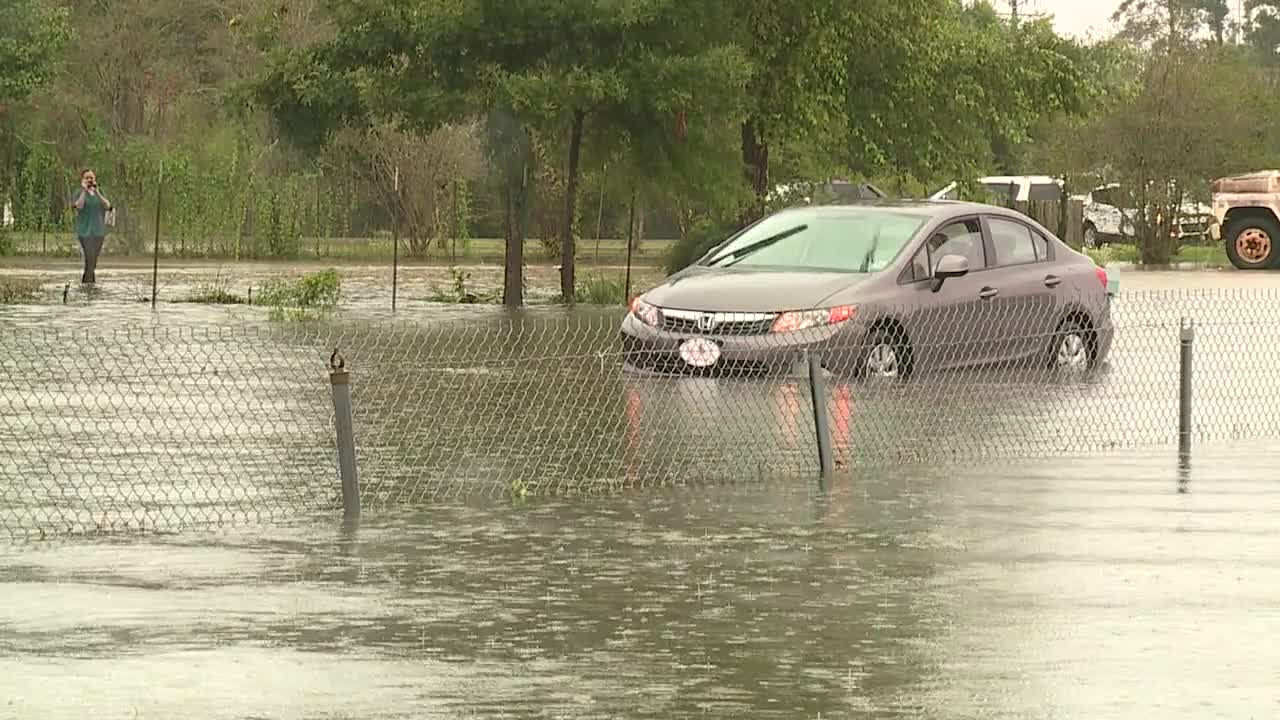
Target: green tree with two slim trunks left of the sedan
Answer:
[[529, 66]]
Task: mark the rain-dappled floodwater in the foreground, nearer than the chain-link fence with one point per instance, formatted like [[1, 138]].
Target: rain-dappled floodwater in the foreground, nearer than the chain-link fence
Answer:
[[1084, 589]]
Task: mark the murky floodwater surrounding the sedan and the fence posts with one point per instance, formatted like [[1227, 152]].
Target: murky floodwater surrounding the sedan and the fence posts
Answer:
[[548, 537]]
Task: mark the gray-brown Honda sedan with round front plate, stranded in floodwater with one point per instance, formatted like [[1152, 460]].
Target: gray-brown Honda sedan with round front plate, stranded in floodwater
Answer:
[[881, 289]]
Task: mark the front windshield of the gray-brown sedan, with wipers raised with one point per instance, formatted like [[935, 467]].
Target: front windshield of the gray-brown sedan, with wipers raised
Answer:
[[844, 240]]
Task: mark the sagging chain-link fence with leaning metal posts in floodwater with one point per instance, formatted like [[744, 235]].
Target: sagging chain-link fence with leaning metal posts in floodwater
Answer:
[[167, 427]]
